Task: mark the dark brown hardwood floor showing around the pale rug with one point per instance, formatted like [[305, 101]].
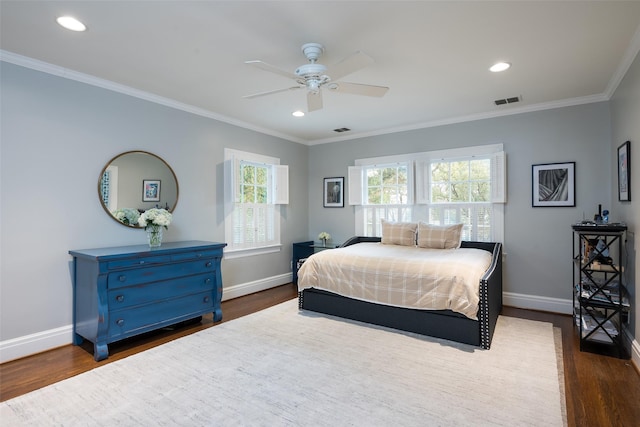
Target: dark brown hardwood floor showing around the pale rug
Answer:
[[601, 391]]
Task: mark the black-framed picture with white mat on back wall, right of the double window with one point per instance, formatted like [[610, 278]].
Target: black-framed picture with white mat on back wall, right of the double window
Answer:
[[553, 184]]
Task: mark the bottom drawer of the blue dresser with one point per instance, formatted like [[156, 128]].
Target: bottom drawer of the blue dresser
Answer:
[[128, 322]]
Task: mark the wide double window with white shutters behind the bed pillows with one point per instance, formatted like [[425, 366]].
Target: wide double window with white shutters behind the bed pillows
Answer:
[[451, 186]]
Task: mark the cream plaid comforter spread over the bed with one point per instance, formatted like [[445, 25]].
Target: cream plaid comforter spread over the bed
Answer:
[[403, 276]]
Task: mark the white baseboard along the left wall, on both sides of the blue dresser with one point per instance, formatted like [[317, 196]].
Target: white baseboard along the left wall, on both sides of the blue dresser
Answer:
[[27, 345]]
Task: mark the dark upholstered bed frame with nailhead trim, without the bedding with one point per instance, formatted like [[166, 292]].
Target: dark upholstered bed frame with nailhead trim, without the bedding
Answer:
[[436, 323]]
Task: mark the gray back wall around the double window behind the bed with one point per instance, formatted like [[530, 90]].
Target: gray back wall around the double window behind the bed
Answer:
[[537, 240]]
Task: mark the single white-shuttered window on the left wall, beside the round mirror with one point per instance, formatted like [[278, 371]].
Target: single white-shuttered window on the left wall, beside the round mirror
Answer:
[[255, 186]]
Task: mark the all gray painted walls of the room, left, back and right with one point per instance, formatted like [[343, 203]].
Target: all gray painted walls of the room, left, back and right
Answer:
[[57, 135]]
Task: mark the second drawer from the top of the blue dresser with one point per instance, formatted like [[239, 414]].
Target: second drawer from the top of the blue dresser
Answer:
[[161, 272]]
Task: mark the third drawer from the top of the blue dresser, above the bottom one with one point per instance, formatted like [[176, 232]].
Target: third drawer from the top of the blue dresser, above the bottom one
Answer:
[[149, 292]]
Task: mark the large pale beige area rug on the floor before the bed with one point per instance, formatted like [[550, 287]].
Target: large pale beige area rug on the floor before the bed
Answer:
[[282, 367]]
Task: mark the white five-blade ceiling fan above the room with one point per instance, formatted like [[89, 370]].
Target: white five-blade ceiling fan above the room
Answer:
[[314, 76]]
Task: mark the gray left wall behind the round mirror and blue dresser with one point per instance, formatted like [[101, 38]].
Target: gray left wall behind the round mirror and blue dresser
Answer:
[[56, 137]]
